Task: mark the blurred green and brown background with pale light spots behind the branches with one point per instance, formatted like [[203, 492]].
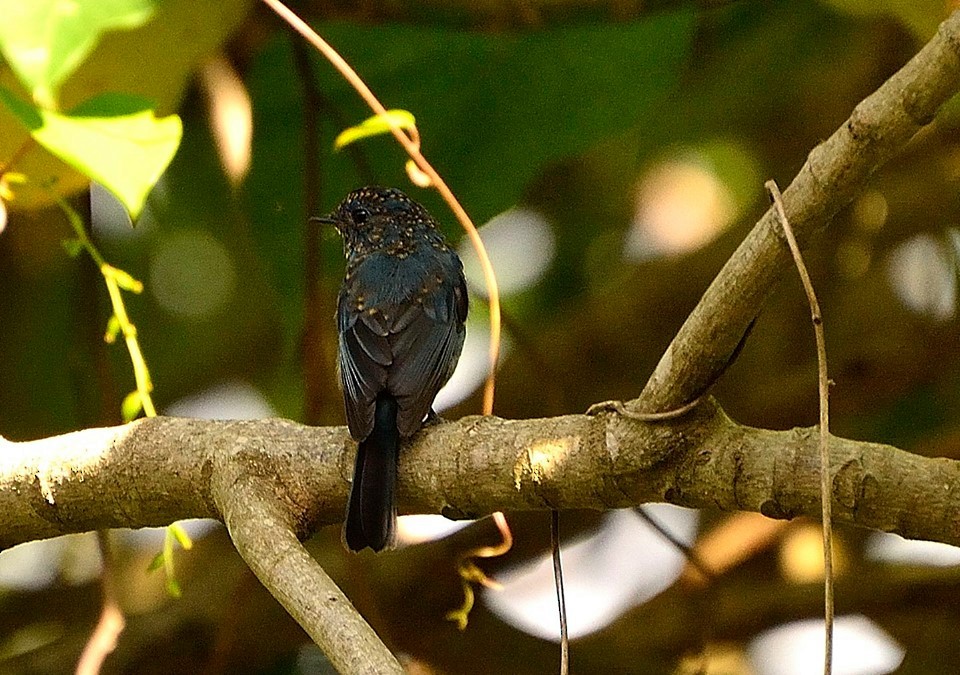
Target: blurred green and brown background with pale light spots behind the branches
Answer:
[[616, 152]]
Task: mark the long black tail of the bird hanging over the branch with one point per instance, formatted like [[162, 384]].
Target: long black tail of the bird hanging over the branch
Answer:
[[371, 512]]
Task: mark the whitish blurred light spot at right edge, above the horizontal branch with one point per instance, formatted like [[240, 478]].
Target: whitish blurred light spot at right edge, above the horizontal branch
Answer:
[[923, 273]]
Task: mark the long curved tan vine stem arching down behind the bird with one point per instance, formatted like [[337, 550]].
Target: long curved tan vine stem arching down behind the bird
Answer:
[[411, 144]]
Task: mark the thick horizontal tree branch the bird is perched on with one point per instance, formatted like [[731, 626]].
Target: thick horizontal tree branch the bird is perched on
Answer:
[[155, 471]]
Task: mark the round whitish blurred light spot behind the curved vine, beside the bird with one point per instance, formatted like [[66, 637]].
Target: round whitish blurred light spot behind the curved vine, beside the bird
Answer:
[[520, 245]]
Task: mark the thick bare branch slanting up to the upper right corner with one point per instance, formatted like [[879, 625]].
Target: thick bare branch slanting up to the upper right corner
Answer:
[[877, 129]]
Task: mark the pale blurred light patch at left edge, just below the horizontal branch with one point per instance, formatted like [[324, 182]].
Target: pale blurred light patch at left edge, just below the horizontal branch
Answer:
[[34, 565]]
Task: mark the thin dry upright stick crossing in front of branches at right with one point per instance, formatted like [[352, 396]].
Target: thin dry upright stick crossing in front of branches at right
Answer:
[[823, 384]]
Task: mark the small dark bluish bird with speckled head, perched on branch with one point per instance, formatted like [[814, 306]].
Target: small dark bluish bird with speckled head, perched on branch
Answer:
[[401, 320]]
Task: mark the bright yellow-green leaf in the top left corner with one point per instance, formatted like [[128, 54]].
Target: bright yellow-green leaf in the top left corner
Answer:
[[45, 40]]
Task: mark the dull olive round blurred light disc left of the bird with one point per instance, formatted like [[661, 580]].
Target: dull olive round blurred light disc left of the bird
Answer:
[[192, 274]]
